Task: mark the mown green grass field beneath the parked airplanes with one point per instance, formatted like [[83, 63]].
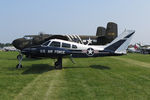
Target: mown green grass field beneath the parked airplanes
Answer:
[[104, 78]]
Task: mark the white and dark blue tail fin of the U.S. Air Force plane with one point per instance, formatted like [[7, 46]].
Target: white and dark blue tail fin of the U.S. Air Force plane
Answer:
[[121, 43]]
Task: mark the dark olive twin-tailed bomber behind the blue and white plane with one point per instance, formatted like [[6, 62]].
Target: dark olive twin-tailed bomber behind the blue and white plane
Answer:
[[103, 37]]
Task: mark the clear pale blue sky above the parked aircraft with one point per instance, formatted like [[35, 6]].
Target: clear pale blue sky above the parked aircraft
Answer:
[[22, 17]]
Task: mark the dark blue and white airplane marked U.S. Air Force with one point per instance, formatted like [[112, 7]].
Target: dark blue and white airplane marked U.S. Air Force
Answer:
[[59, 49]]
